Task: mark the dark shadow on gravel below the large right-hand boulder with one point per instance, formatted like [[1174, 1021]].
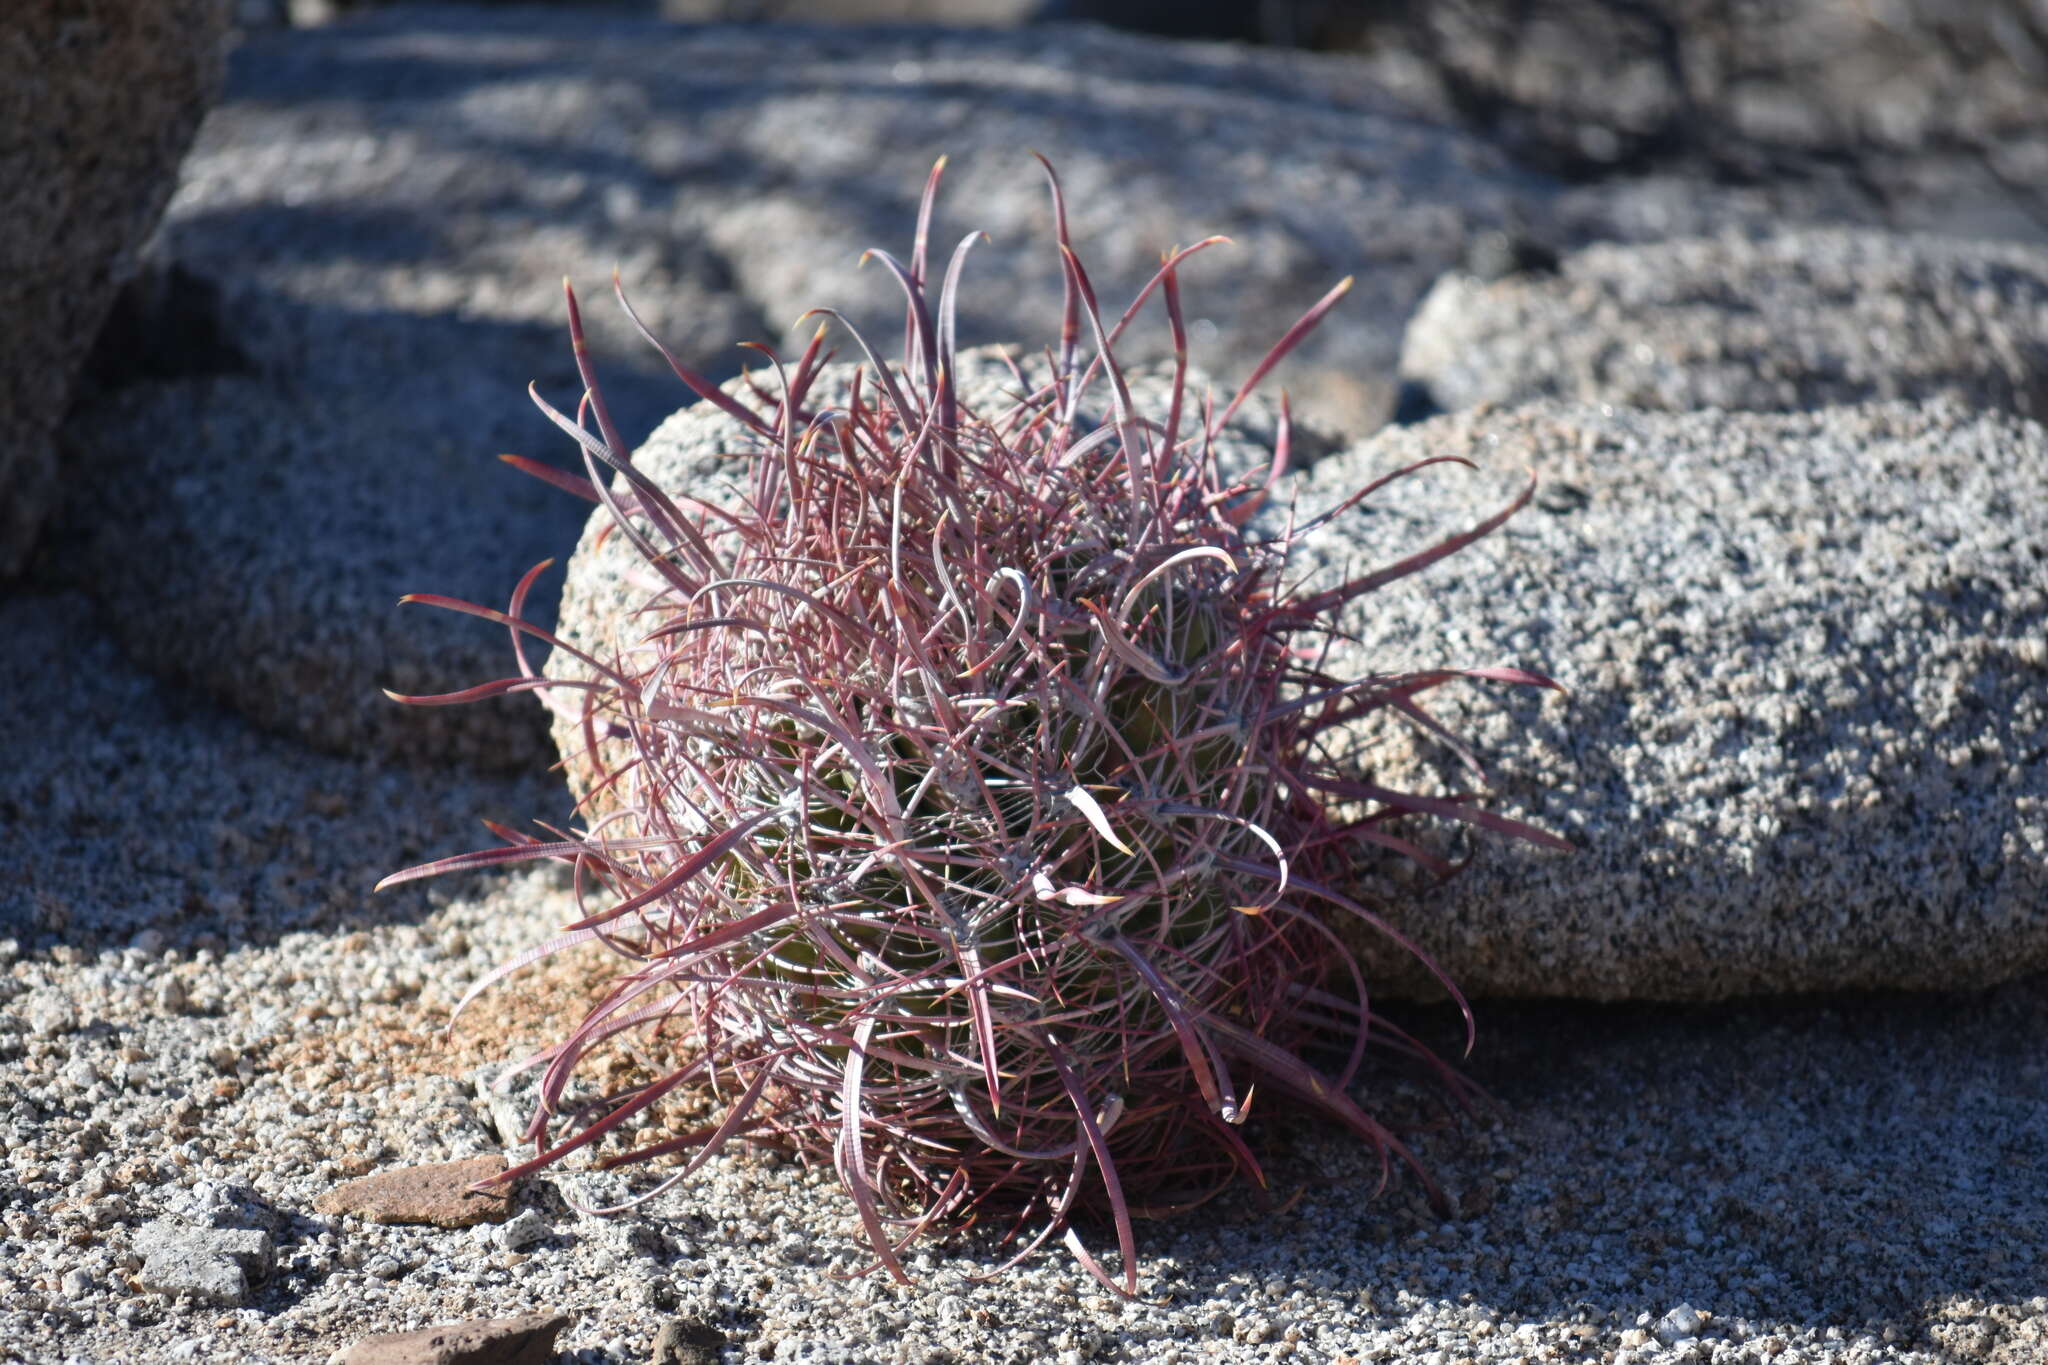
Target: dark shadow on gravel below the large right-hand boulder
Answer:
[[1859, 1163]]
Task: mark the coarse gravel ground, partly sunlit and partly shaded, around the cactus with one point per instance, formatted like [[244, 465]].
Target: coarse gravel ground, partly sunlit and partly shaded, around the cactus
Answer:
[[204, 1014]]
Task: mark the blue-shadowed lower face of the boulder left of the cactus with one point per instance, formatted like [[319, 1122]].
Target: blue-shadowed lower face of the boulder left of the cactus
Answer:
[[251, 535]]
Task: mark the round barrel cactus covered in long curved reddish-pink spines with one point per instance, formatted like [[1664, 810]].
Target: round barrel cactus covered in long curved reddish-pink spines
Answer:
[[955, 797]]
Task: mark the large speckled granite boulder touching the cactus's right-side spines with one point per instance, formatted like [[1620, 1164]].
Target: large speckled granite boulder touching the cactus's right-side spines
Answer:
[[1807, 734]]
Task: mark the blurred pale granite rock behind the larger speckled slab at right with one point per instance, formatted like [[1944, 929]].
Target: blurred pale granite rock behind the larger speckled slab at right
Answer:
[[1787, 322]]
